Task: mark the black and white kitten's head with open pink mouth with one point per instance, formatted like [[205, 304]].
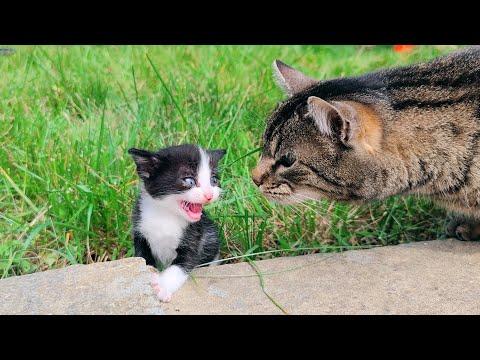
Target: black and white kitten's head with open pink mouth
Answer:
[[184, 177]]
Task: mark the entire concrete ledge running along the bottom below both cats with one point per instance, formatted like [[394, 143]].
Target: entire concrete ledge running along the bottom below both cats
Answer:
[[435, 277]]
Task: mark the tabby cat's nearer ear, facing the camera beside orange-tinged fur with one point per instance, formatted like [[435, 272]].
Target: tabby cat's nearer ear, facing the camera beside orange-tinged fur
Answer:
[[330, 120]]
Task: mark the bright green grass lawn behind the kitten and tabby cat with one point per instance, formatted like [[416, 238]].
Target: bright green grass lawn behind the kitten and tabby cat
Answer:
[[69, 114]]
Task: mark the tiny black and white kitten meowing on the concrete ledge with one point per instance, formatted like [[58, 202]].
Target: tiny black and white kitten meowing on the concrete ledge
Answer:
[[169, 226]]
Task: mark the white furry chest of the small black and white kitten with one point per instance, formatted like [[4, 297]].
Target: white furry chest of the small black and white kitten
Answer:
[[162, 229]]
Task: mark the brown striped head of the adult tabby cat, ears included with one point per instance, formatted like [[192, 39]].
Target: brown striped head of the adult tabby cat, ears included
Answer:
[[315, 148]]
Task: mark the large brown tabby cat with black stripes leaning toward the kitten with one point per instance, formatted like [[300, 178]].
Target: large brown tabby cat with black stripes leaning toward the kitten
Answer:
[[408, 130]]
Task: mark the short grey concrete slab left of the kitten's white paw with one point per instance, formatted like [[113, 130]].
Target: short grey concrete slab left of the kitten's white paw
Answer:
[[116, 287]]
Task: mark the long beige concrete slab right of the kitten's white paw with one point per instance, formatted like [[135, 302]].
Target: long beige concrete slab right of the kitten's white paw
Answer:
[[435, 277]]
